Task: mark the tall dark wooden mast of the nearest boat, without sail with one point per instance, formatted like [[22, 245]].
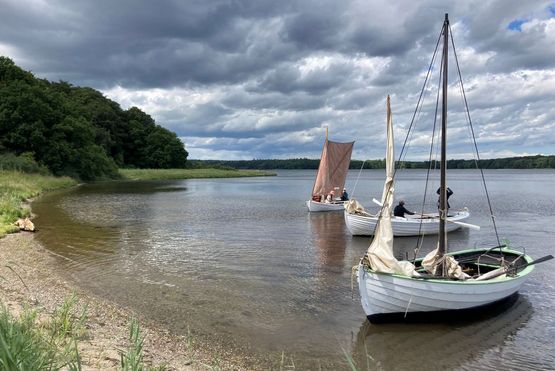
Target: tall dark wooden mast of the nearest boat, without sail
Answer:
[[442, 193]]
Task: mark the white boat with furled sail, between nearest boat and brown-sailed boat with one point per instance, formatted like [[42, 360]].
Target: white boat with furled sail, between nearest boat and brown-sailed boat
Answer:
[[362, 223]]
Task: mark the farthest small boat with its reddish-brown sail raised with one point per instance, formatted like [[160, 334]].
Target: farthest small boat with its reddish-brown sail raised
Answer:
[[330, 179]]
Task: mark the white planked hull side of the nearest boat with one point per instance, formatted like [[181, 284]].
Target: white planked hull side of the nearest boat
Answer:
[[385, 294]]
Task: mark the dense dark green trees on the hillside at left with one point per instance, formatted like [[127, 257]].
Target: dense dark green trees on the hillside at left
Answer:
[[76, 131]]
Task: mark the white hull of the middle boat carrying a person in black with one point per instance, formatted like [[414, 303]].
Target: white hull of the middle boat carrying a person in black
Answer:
[[360, 225]]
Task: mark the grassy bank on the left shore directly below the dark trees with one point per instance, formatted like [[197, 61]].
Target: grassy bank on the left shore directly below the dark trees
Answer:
[[16, 188]]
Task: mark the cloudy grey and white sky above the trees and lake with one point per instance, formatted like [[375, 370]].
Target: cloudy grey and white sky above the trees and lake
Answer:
[[244, 79]]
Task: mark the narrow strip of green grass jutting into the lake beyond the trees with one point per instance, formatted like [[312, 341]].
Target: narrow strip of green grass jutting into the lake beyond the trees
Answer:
[[167, 174]]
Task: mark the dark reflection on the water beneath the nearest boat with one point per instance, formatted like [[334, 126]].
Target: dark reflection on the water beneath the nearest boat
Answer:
[[461, 340]]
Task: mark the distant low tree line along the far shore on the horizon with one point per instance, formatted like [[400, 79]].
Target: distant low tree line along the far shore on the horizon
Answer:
[[526, 162]]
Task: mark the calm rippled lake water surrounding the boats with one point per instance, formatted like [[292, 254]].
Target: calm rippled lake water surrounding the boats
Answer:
[[242, 265]]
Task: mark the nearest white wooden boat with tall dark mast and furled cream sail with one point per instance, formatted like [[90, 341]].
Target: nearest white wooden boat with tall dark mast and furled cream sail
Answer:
[[441, 283]]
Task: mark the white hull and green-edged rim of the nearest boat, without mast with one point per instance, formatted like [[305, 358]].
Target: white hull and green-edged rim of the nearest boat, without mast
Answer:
[[386, 296]]
